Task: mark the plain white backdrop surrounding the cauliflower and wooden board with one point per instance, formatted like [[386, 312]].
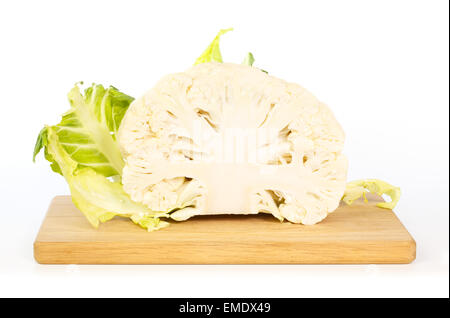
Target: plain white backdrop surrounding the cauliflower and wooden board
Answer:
[[382, 67]]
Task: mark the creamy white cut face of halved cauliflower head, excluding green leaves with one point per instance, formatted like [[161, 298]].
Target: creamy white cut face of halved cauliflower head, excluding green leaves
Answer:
[[223, 138]]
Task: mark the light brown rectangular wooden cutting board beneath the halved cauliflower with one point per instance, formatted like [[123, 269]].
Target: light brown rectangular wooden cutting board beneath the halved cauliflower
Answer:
[[357, 234]]
